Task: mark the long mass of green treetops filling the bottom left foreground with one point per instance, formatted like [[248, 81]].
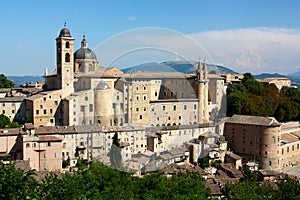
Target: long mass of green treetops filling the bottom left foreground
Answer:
[[99, 182]]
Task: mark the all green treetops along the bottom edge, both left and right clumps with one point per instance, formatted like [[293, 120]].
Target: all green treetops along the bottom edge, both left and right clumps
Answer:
[[101, 182]]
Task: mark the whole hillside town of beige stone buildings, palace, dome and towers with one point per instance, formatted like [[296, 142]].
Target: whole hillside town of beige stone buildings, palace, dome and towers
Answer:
[[164, 121]]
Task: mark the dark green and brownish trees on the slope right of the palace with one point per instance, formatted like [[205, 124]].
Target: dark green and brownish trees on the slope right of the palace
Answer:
[[253, 98]]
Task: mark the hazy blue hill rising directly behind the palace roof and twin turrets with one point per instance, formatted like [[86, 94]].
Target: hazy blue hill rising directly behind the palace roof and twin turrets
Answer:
[[176, 66]]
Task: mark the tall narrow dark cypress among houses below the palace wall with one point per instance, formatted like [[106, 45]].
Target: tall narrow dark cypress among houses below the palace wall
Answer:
[[115, 153]]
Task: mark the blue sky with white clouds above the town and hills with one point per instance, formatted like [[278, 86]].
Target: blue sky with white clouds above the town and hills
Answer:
[[246, 36]]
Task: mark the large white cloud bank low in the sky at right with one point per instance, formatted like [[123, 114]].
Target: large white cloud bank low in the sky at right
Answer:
[[254, 49]]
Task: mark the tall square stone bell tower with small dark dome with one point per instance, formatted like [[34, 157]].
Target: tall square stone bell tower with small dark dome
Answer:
[[65, 62]]
